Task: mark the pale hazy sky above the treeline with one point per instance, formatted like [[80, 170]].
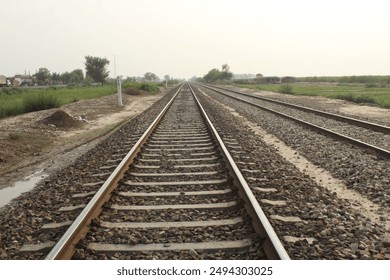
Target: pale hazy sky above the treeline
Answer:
[[183, 38]]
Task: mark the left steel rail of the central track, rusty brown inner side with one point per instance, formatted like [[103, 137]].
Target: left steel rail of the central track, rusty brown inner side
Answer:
[[64, 248]]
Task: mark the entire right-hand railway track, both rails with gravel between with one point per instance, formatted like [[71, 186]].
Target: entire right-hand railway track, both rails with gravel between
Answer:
[[372, 137]]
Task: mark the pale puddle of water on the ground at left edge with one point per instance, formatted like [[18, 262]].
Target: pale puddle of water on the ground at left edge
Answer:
[[9, 193]]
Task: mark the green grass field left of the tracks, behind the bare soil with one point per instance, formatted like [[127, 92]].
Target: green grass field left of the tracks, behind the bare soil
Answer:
[[18, 101]]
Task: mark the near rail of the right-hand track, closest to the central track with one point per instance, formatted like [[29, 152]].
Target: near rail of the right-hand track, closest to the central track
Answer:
[[335, 135]]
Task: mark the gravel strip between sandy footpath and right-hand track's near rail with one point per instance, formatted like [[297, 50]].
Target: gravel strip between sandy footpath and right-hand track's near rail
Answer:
[[362, 172]]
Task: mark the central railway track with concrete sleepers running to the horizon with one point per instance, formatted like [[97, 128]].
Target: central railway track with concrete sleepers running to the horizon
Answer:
[[176, 195]]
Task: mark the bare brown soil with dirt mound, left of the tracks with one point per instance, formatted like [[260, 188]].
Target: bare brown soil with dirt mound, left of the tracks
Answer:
[[51, 139]]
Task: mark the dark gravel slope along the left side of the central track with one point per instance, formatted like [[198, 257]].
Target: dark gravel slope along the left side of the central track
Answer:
[[40, 206]]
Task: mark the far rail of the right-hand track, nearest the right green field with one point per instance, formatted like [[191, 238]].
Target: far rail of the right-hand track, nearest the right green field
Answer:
[[361, 123]]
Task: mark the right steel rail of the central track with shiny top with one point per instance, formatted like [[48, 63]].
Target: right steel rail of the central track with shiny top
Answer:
[[272, 245]]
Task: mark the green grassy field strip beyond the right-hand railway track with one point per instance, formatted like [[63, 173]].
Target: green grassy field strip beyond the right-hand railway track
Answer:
[[359, 93]]
